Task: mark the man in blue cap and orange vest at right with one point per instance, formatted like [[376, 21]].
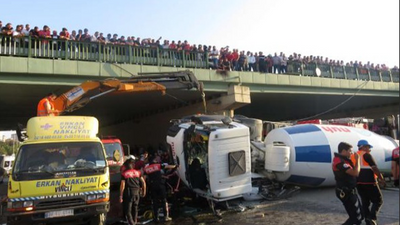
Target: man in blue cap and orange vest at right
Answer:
[[367, 185]]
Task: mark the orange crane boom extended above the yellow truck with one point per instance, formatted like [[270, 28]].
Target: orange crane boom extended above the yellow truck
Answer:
[[80, 95]]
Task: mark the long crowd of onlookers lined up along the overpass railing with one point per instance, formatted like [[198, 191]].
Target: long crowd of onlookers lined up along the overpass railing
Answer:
[[219, 58]]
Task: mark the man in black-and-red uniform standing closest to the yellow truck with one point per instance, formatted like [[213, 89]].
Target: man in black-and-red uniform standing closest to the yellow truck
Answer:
[[132, 187]]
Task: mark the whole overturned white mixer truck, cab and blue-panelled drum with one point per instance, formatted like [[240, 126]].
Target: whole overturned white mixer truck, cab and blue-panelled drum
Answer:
[[232, 155]]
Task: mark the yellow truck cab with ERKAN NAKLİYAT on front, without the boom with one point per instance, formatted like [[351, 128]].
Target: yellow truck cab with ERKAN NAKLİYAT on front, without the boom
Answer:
[[60, 173]]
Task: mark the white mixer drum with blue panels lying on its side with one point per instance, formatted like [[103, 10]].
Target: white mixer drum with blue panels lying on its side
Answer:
[[312, 149]]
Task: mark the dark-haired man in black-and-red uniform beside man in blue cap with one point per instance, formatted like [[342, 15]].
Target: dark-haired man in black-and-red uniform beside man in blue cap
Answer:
[[346, 173]]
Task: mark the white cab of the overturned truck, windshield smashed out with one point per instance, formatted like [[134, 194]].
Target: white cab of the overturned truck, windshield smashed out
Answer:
[[213, 156]]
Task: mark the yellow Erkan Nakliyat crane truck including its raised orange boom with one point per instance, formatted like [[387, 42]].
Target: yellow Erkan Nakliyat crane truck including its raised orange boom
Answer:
[[61, 173]]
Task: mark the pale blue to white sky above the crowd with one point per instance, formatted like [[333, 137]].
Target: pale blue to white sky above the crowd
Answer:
[[349, 30]]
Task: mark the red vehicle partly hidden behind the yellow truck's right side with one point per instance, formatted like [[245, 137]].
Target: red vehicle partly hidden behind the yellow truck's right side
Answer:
[[115, 157]]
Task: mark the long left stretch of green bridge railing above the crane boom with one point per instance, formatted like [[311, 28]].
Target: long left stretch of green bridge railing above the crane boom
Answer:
[[96, 51]]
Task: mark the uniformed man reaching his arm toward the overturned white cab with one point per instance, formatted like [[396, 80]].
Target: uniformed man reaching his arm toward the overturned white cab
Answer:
[[156, 182]]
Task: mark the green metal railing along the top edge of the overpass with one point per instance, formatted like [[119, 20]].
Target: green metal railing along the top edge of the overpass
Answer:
[[146, 55]]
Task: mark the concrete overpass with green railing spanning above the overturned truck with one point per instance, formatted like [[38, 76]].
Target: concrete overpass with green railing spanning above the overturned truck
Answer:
[[29, 72]]
